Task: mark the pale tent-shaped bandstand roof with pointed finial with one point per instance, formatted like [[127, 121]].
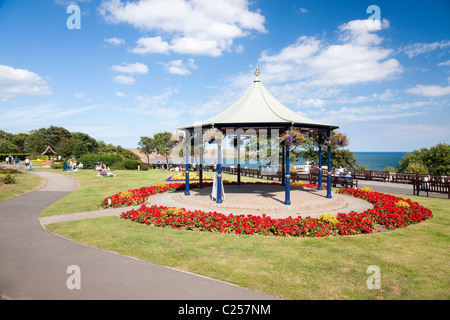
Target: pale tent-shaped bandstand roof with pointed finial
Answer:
[[257, 109]]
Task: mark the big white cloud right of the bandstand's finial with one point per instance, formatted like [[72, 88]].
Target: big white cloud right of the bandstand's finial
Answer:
[[358, 58]]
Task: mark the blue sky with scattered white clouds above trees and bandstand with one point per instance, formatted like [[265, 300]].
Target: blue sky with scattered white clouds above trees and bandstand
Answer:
[[140, 67]]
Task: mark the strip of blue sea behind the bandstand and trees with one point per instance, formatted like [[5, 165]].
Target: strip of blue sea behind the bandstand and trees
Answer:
[[375, 161]]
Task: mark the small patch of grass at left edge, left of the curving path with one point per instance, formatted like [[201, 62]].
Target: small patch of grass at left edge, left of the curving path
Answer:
[[25, 183]]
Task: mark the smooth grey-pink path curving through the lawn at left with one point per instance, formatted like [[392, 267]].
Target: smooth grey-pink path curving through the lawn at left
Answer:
[[34, 262]]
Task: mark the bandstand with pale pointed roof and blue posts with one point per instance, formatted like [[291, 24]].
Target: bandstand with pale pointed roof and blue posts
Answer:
[[257, 111]]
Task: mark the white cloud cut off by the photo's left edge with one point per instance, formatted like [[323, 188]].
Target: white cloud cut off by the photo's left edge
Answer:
[[21, 81]]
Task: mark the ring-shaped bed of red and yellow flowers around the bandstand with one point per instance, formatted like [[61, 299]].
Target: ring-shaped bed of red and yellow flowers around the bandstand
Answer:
[[389, 212]]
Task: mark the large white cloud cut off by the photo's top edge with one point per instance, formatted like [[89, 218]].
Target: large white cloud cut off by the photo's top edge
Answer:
[[195, 27]]
